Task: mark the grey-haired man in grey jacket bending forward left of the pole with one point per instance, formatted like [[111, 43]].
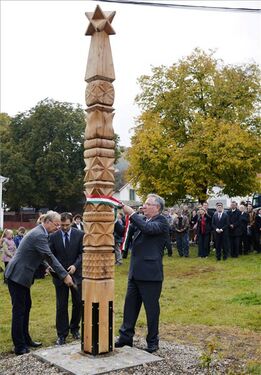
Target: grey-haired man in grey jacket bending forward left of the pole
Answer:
[[32, 251]]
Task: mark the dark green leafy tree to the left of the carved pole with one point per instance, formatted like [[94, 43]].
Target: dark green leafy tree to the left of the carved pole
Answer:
[[42, 154]]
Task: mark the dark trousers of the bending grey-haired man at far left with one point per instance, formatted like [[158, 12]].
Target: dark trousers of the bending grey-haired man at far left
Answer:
[[21, 305]]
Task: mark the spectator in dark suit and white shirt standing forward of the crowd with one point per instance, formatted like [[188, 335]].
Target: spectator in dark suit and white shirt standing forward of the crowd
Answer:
[[220, 227]]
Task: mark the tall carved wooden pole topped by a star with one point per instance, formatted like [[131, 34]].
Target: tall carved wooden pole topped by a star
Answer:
[[98, 257]]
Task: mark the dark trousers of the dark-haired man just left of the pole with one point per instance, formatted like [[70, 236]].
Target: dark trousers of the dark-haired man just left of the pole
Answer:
[[62, 316]]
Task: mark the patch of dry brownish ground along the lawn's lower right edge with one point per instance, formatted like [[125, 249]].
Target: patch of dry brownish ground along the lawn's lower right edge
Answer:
[[238, 347]]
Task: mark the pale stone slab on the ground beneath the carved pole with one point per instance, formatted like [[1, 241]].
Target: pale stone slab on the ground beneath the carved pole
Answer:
[[70, 358]]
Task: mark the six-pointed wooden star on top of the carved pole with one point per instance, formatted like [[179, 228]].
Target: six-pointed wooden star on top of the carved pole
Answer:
[[100, 21]]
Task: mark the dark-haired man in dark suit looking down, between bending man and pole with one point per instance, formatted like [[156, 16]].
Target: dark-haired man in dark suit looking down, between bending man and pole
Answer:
[[66, 245]]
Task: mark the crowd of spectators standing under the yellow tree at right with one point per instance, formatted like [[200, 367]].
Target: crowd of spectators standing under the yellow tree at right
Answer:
[[234, 231]]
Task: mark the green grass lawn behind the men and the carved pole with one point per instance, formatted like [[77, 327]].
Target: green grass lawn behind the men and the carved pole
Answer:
[[196, 292]]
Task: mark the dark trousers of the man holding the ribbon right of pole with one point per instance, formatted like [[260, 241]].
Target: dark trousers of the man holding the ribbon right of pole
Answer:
[[138, 292]]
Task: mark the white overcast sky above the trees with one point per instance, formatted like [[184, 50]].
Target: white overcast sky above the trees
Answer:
[[44, 50]]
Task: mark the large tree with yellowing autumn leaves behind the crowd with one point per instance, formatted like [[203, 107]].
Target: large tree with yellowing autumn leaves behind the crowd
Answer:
[[199, 128]]
